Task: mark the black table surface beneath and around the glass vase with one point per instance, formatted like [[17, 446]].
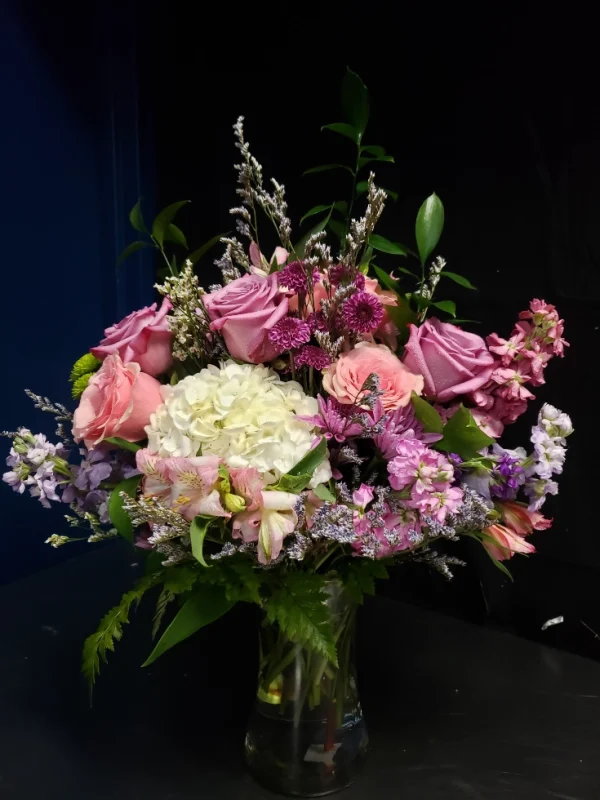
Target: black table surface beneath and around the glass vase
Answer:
[[454, 710]]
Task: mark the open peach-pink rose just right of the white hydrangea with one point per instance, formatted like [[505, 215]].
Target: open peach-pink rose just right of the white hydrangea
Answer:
[[346, 376]]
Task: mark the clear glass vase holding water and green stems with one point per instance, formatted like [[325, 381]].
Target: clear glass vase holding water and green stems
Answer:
[[306, 736]]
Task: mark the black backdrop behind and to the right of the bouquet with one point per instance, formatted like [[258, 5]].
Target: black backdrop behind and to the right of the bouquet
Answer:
[[493, 110]]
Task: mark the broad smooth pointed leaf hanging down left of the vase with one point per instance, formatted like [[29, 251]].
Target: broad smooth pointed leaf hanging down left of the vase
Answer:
[[207, 603]]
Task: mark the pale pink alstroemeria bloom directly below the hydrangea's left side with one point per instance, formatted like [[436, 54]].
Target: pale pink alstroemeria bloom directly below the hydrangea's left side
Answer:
[[187, 485]]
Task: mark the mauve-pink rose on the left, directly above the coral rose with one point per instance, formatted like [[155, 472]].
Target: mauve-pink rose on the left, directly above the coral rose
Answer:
[[143, 337]]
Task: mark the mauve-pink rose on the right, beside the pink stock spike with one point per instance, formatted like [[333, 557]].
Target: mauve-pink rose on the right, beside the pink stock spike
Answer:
[[452, 361]]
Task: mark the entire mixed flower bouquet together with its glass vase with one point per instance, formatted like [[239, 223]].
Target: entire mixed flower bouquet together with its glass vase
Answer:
[[284, 437]]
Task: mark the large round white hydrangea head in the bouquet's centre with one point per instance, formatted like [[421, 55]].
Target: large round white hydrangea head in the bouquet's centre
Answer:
[[241, 412]]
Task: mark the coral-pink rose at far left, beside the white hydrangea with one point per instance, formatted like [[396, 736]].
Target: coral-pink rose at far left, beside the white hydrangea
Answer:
[[118, 401]]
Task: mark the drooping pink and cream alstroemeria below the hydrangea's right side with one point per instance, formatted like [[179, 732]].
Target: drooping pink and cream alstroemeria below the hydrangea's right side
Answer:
[[269, 516]]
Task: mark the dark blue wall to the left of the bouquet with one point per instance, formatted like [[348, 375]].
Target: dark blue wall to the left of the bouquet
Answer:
[[70, 167]]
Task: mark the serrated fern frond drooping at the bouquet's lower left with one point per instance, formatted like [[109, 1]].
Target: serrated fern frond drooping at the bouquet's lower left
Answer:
[[110, 630]]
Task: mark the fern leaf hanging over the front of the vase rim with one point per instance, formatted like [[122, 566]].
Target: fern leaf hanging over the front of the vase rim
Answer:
[[298, 607]]
